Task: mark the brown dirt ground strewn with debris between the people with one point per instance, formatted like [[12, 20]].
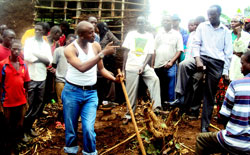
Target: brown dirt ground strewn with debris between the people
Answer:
[[109, 133]]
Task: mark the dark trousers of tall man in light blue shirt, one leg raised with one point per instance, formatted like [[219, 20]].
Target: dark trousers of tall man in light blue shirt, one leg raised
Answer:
[[213, 73]]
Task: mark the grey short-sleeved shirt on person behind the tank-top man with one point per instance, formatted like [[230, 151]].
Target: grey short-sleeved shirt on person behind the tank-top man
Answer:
[[62, 64]]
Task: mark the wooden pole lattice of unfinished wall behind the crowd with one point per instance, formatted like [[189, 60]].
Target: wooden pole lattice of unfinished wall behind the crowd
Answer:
[[119, 14]]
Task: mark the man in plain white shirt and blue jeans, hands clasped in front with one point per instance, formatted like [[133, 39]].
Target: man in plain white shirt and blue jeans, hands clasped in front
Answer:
[[168, 48]]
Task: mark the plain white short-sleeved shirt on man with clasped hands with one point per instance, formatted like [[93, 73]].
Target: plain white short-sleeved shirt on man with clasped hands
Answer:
[[167, 44]]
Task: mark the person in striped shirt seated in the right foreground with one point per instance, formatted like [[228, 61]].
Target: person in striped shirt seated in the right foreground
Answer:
[[235, 138]]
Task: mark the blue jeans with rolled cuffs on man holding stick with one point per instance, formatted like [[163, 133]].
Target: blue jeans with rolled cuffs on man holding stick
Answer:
[[77, 101]]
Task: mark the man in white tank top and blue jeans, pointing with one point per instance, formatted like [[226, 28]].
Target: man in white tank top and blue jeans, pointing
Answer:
[[79, 95]]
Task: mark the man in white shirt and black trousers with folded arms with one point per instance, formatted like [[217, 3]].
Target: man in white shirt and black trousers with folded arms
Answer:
[[37, 54]]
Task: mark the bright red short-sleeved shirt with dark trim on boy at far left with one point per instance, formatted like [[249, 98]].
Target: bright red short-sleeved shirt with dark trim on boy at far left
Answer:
[[12, 83]]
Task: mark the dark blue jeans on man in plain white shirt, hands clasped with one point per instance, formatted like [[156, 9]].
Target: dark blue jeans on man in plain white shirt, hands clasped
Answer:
[[167, 82]]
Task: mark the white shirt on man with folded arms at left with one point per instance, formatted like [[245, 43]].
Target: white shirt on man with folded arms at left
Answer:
[[37, 71]]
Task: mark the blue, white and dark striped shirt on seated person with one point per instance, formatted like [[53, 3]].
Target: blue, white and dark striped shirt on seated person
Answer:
[[236, 107]]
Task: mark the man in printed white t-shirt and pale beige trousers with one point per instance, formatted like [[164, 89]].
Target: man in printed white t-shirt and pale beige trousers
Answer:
[[140, 45]]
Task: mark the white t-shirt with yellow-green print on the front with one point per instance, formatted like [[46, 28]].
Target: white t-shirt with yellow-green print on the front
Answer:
[[139, 45]]
